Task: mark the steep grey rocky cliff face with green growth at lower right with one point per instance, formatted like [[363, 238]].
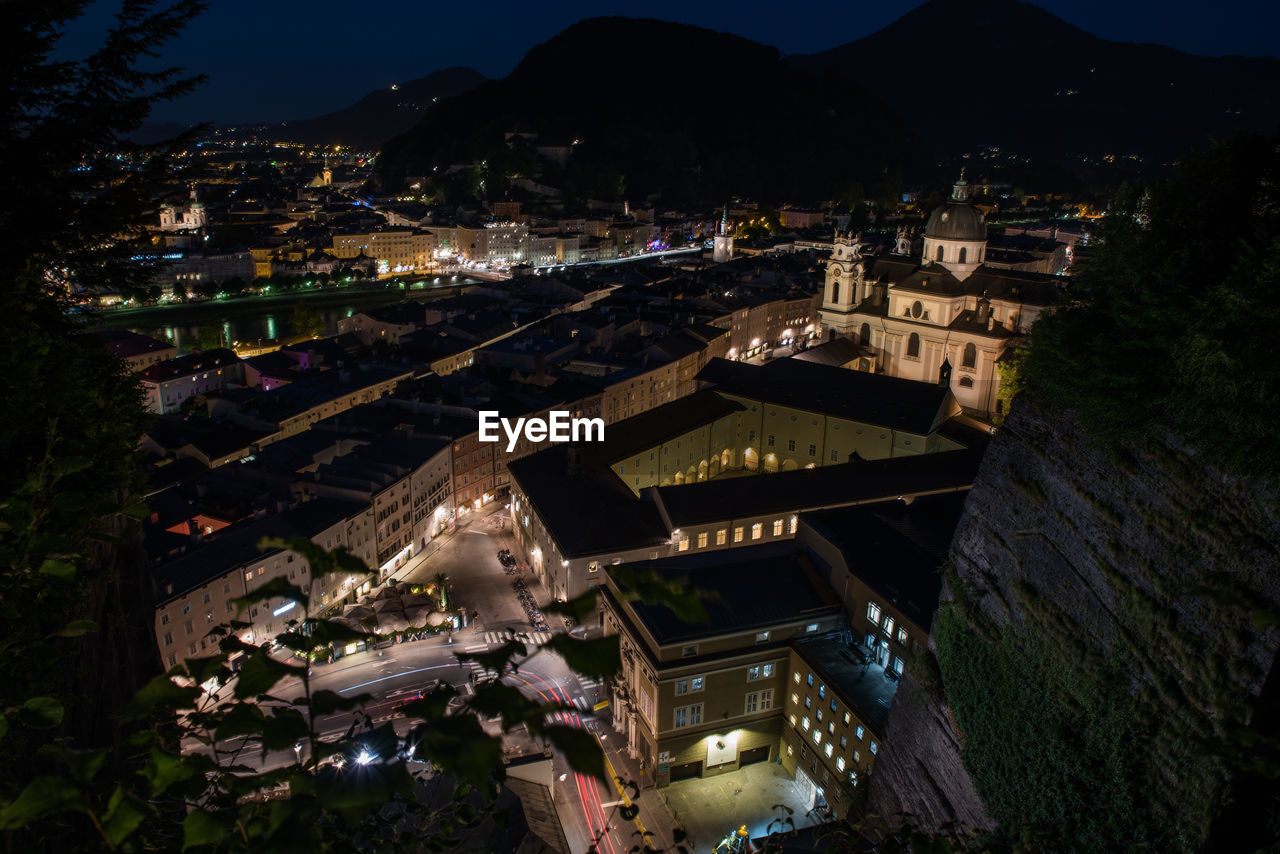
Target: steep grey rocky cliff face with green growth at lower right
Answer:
[[1123, 595]]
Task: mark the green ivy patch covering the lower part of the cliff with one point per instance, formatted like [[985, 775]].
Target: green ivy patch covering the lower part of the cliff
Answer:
[[1050, 743]]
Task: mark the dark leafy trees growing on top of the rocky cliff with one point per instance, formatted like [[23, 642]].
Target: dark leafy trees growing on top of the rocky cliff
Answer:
[[1174, 305]]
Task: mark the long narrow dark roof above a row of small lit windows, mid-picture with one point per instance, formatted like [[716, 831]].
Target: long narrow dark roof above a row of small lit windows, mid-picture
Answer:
[[851, 483]]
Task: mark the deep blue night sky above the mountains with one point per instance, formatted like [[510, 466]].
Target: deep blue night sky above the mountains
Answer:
[[284, 60]]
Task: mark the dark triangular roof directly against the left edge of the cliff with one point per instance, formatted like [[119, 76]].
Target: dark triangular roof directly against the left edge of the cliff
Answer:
[[898, 550]]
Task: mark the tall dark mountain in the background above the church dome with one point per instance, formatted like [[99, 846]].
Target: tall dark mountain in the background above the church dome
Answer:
[[1002, 72]]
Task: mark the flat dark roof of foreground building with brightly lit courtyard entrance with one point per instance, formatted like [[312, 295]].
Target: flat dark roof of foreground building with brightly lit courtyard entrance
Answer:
[[755, 588]]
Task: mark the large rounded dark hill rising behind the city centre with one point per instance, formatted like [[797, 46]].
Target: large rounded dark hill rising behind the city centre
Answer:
[[657, 108]]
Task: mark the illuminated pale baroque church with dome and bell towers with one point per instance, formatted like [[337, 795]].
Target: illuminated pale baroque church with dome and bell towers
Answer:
[[940, 318]]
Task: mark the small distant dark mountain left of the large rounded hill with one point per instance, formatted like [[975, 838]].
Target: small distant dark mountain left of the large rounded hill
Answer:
[[385, 113]]
